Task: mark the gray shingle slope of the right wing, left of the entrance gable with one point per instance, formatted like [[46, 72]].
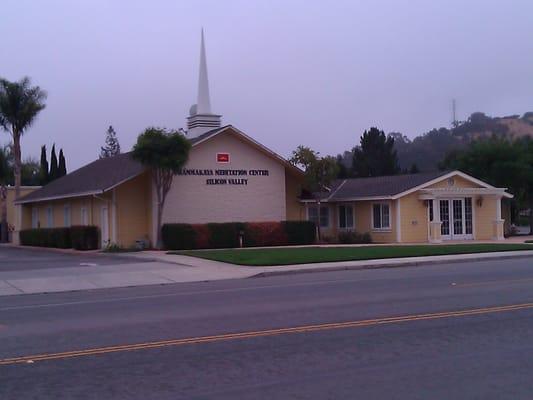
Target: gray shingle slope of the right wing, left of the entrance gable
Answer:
[[379, 186]]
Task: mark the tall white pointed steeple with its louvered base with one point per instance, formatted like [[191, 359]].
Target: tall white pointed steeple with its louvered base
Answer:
[[200, 118]]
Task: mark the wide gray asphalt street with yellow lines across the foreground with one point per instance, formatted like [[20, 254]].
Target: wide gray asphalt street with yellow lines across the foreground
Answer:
[[482, 353]]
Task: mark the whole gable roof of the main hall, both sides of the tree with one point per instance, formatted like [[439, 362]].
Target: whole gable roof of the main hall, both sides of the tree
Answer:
[[106, 173]]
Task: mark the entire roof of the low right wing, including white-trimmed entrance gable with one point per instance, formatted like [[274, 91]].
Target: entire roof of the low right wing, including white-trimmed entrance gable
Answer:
[[388, 187]]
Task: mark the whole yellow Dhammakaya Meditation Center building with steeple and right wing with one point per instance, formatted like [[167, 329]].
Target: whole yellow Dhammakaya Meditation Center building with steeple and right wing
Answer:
[[230, 177]]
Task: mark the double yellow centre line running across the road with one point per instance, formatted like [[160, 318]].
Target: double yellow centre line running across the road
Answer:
[[263, 333]]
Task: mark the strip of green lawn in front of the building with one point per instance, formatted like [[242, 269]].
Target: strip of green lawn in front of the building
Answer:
[[305, 255]]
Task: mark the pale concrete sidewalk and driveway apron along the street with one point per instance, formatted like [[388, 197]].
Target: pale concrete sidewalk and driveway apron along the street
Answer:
[[159, 268]]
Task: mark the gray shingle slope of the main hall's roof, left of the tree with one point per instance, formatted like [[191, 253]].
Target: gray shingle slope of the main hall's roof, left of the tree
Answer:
[[93, 178]]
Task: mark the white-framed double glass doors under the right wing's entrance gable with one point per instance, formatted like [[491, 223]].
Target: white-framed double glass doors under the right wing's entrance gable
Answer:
[[456, 217]]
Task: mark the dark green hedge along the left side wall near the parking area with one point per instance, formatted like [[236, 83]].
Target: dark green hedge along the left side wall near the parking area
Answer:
[[78, 237]]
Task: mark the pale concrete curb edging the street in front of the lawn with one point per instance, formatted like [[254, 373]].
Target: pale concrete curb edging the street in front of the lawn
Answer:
[[410, 263]]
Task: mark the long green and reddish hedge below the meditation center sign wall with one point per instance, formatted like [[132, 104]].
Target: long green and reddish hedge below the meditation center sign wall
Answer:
[[227, 235]]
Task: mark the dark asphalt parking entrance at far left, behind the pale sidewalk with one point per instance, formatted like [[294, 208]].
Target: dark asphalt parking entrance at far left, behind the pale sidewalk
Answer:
[[16, 259]]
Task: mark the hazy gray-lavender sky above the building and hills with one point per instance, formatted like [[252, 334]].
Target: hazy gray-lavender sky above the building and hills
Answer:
[[285, 72]]
